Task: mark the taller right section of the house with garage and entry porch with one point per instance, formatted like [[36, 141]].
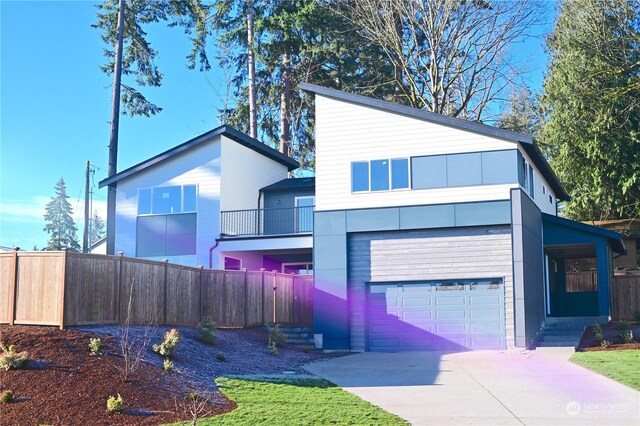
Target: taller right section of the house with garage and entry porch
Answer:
[[432, 232]]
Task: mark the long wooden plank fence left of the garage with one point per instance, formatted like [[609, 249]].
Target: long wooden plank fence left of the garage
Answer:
[[65, 289]]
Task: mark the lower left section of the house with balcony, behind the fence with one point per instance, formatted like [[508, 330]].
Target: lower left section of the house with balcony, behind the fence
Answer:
[[203, 203]]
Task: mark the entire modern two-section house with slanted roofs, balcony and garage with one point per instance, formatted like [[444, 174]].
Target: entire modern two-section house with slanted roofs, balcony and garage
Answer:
[[422, 231]]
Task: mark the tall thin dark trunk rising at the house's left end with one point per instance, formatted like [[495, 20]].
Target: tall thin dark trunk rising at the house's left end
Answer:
[[113, 141]]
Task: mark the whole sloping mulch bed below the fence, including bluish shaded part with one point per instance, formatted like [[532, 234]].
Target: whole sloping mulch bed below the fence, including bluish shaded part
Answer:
[[62, 383]]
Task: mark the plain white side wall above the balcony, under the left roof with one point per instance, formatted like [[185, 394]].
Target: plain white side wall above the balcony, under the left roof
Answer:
[[244, 172]]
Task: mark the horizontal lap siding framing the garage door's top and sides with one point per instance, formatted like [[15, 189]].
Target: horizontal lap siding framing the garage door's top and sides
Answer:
[[464, 253]]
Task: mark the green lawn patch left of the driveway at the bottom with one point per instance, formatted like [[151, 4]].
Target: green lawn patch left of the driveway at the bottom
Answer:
[[296, 401]]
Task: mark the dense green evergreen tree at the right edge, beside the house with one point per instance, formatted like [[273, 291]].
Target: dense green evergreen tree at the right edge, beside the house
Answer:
[[591, 92]]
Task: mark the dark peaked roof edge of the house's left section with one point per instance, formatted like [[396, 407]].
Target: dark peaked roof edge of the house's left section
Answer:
[[225, 130]]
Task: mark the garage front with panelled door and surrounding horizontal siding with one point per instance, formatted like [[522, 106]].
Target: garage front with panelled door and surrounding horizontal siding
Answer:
[[439, 289]]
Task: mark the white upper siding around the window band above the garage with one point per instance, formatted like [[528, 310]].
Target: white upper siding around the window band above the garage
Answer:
[[347, 132]]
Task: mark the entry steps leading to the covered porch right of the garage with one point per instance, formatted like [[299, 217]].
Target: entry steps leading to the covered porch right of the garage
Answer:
[[566, 331]]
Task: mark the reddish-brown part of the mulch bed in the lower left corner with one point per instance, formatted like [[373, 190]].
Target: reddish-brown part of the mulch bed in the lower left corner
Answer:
[[63, 384]]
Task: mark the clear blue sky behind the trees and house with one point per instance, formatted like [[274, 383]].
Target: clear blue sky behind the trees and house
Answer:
[[55, 108]]
